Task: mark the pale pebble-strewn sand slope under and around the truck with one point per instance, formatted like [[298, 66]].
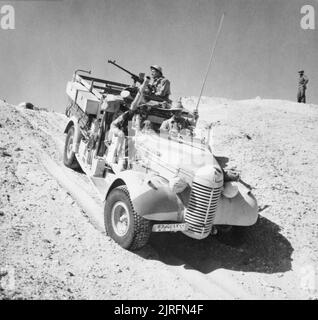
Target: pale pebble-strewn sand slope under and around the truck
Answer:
[[57, 252]]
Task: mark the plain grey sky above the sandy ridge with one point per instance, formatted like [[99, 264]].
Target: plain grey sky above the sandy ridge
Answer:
[[259, 52]]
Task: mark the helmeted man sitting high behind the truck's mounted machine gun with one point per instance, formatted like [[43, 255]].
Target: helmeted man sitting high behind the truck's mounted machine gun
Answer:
[[159, 86]]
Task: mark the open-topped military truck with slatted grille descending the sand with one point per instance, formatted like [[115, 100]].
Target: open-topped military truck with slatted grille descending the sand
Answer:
[[169, 183]]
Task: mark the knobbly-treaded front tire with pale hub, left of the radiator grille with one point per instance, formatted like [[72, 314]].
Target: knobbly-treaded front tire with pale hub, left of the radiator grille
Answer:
[[122, 222]]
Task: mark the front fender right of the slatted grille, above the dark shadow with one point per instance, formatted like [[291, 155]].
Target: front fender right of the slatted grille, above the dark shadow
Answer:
[[242, 210]]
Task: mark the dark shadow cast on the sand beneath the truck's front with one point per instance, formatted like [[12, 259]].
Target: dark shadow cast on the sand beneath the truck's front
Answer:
[[259, 248]]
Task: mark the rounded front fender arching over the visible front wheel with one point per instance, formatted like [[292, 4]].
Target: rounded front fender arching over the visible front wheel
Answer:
[[150, 202]]
